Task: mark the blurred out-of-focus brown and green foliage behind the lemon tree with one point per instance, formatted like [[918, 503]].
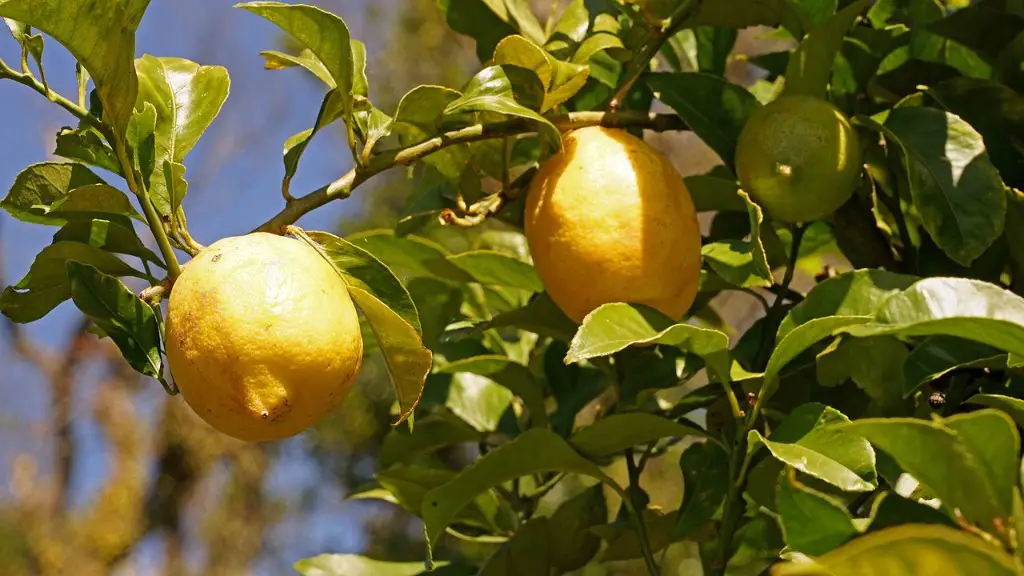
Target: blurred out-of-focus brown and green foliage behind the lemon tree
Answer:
[[176, 498]]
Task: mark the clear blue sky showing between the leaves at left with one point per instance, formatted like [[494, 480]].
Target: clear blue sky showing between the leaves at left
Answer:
[[235, 175]]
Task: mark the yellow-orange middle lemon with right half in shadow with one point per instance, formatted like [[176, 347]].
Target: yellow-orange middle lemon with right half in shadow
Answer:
[[609, 220]]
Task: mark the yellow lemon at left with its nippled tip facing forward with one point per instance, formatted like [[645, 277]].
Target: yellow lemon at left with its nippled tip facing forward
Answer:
[[263, 339]]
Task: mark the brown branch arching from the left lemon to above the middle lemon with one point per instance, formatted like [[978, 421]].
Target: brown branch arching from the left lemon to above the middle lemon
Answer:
[[344, 187]]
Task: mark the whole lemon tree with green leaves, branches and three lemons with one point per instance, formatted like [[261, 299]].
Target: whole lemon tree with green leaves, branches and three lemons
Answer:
[[582, 332]]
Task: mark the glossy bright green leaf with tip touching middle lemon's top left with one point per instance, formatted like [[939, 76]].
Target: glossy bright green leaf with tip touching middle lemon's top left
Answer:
[[491, 92]]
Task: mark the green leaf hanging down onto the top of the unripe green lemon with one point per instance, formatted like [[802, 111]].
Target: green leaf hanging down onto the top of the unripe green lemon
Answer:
[[810, 66]]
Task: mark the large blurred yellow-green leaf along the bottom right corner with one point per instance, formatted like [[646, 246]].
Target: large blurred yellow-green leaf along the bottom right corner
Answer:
[[920, 549]]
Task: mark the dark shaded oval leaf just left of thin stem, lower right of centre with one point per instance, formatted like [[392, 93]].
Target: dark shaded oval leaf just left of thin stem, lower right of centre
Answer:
[[706, 482]]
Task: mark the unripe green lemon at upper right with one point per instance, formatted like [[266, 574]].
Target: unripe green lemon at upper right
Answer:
[[799, 158]]
